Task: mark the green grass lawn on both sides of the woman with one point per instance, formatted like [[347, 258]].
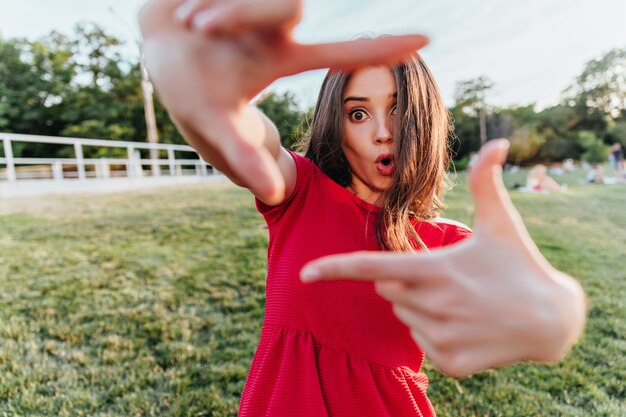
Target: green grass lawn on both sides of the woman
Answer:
[[151, 304]]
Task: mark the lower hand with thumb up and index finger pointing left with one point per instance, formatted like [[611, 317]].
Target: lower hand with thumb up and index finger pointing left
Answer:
[[487, 301]]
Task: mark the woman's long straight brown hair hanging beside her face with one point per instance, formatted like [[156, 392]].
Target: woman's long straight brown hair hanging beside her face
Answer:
[[421, 151]]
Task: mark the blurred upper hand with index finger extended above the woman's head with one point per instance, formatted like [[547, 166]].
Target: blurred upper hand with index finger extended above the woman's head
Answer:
[[209, 58]]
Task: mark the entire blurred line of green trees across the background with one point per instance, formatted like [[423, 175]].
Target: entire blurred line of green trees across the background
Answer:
[[82, 86]]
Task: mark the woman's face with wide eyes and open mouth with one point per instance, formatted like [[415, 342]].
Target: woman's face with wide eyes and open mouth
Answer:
[[369, 106]]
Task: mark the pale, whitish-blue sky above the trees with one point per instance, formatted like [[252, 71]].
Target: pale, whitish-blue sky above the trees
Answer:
[[531, 49]]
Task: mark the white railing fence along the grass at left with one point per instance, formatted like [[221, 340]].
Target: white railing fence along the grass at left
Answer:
[[131, 165]]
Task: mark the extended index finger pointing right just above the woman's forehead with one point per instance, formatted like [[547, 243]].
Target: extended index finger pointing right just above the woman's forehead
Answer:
[[386, 50]]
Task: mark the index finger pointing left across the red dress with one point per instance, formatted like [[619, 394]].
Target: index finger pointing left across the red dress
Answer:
[[375, 266]]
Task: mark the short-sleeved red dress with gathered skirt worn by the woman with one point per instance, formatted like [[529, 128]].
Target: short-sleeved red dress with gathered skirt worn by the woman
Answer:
[[332, 348]]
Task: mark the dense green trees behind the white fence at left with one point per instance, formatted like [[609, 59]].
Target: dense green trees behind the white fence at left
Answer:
[[73, 86]]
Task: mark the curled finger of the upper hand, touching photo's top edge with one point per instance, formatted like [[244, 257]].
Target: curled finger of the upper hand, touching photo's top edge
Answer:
[[237, 16]]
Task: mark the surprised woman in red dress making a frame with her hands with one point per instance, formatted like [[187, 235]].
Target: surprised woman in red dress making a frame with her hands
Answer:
[[372, 179]]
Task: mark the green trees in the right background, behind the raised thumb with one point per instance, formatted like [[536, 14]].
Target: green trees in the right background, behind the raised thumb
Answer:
[[595, 102]]
